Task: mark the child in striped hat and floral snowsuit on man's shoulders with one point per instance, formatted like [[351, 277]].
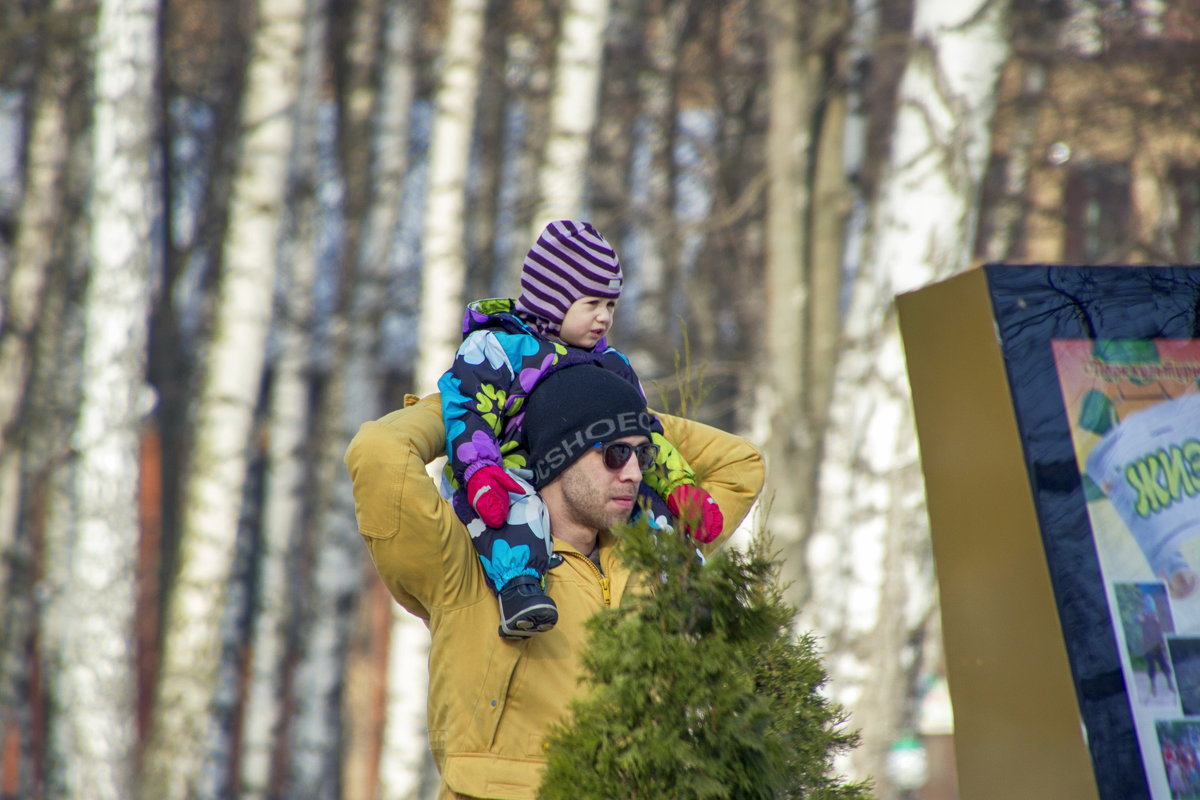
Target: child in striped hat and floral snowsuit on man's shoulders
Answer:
[[571, 284]]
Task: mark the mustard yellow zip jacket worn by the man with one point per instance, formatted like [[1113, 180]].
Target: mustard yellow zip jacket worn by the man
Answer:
[[493, 701]]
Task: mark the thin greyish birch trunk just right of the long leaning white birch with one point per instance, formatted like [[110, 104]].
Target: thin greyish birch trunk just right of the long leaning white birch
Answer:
[[289, 424]]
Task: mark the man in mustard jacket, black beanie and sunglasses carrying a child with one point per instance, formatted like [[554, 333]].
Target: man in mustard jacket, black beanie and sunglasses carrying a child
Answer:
[[491, 700]]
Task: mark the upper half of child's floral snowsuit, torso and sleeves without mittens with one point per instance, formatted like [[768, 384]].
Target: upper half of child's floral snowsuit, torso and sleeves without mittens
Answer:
[[501, 362]]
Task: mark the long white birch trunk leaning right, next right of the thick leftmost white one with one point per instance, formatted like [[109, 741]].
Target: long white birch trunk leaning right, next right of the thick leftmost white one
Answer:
[[226, 407]]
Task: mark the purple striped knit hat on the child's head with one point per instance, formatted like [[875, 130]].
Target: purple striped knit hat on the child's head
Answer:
[[568, 262]]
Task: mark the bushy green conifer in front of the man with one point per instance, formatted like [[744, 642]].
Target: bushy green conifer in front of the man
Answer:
[[699, 690]]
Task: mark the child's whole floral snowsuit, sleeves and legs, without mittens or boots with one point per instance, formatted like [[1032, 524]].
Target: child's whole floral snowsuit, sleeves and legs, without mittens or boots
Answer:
[[499, 365]]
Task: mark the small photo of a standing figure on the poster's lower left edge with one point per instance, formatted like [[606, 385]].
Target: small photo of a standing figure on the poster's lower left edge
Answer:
[[1147, 621]]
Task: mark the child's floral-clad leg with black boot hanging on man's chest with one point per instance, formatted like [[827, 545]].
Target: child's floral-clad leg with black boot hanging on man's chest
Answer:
[[515, 558]]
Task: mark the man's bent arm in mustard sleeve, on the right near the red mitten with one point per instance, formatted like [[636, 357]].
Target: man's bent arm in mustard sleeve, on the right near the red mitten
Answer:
[[729, 467]]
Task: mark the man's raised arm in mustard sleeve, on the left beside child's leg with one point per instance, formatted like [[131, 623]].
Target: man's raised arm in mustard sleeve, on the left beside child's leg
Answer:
[[421, 550]]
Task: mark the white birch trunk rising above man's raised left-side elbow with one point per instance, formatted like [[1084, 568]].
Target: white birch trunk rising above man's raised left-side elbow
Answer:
[[445, 270]]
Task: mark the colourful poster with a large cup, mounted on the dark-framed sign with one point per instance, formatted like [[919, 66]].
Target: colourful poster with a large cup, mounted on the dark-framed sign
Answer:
[[1133, 407]]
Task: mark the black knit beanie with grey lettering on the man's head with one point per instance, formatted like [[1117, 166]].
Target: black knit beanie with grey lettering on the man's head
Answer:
[[575, 408]]
